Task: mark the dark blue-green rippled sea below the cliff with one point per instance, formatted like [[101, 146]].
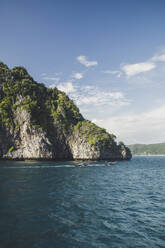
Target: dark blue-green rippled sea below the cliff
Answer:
[[55, 205]]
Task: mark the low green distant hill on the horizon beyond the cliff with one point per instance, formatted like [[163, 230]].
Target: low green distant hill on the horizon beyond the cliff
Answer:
[[151, 149]]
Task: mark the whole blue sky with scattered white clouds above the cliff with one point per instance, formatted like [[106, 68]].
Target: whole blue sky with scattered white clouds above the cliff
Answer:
[[107, 55]]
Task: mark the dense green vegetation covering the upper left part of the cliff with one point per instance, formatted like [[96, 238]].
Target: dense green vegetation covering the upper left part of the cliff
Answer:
[[48, 107]]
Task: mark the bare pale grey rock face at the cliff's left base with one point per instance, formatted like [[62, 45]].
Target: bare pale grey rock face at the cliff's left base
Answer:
[[27, 141]]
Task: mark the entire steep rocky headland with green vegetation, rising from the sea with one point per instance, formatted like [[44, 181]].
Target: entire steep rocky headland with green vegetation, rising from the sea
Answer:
[[41, 123]]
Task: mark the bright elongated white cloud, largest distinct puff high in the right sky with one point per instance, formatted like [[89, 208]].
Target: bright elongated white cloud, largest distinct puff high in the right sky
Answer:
[[134, 69]]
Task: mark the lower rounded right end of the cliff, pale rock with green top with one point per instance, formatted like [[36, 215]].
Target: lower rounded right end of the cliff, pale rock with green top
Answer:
[[88, 141]]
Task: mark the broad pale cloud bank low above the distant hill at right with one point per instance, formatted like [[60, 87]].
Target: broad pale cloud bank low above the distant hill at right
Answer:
[[145, 127]]
